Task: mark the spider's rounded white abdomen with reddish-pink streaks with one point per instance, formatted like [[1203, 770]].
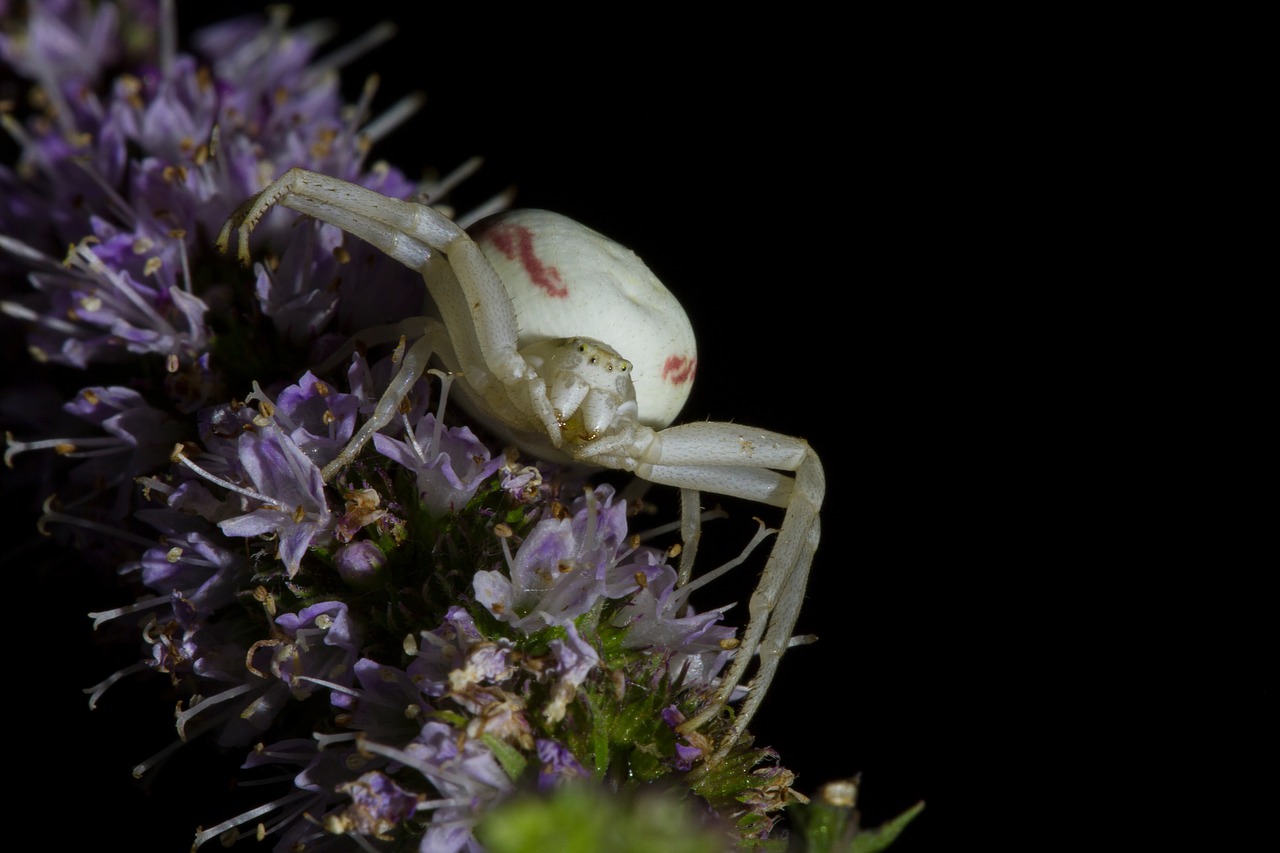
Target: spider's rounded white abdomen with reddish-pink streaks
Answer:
[[568, 281]]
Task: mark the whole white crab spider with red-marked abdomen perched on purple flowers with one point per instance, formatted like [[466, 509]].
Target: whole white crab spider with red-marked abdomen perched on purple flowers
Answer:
[[525, 308]]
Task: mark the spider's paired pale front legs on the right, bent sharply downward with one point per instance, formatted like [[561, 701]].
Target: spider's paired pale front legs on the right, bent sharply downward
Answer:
[[728, 459]]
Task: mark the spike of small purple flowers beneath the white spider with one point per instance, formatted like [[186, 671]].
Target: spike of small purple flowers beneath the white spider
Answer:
[[445, 623]]
